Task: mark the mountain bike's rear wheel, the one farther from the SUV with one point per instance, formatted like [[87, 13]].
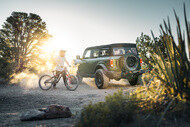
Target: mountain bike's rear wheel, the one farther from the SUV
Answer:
[[46, 82]]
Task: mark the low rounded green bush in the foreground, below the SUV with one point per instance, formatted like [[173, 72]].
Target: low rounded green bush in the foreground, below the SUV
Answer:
[[117, 110]]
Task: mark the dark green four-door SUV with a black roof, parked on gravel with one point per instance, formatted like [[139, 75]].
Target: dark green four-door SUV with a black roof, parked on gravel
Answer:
[[114, 61]]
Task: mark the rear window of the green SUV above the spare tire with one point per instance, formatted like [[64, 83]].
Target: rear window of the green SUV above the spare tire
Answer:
[[124, 50]]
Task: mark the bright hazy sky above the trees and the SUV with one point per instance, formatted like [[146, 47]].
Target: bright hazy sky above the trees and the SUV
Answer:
[[77, 24]]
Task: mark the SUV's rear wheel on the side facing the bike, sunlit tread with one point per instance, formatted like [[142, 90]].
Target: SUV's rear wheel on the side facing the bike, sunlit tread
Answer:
[[101, 79]]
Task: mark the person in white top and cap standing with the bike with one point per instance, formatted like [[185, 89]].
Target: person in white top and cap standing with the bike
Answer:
[[60, 65]]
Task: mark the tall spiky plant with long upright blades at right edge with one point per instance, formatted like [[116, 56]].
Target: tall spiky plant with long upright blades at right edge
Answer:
[[174, 68]]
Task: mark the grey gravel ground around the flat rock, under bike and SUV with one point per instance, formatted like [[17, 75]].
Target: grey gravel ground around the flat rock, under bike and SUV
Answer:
[[14, 100]]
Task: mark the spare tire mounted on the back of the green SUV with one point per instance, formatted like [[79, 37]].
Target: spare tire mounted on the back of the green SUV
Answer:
[[131, 61]]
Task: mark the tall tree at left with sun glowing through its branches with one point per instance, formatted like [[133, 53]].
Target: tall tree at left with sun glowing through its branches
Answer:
[[21, 37]]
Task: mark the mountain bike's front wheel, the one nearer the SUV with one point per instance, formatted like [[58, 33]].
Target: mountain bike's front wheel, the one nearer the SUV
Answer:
[[71, 83]]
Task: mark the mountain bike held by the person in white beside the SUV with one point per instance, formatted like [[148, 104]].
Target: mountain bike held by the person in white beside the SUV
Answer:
[[47, 81]]
